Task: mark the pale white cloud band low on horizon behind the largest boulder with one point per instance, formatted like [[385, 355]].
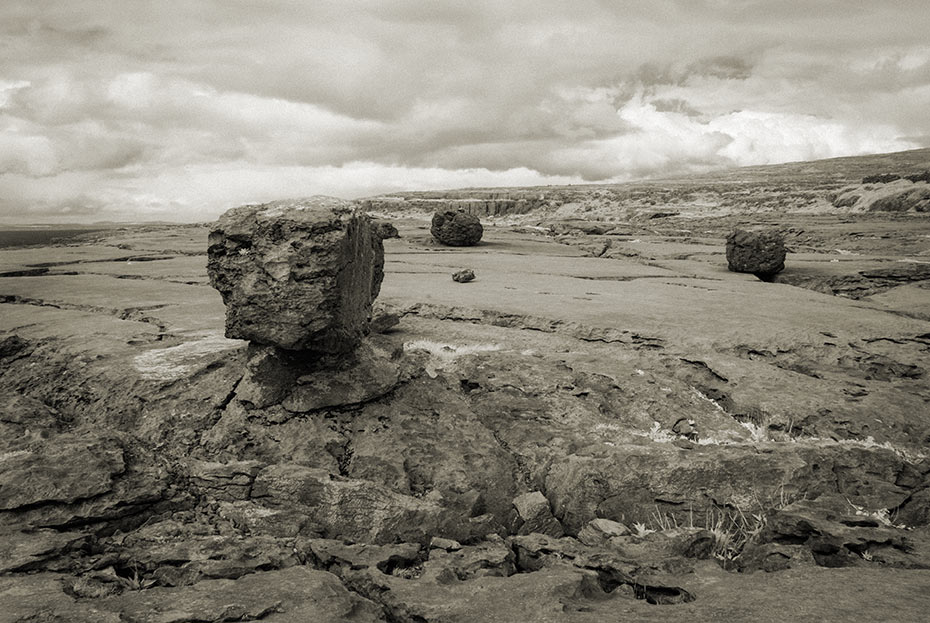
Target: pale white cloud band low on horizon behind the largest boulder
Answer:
[[203, 192]]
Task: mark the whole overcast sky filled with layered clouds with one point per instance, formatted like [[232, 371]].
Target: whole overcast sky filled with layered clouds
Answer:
[[179, 109]]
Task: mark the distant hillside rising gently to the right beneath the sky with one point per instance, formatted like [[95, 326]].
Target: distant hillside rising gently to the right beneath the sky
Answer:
[[791, 187]]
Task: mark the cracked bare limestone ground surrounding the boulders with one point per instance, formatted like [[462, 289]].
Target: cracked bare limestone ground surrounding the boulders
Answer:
[[705, 443]]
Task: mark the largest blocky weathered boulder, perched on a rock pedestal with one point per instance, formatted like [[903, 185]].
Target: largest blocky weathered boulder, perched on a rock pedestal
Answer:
[[297, 274]]
